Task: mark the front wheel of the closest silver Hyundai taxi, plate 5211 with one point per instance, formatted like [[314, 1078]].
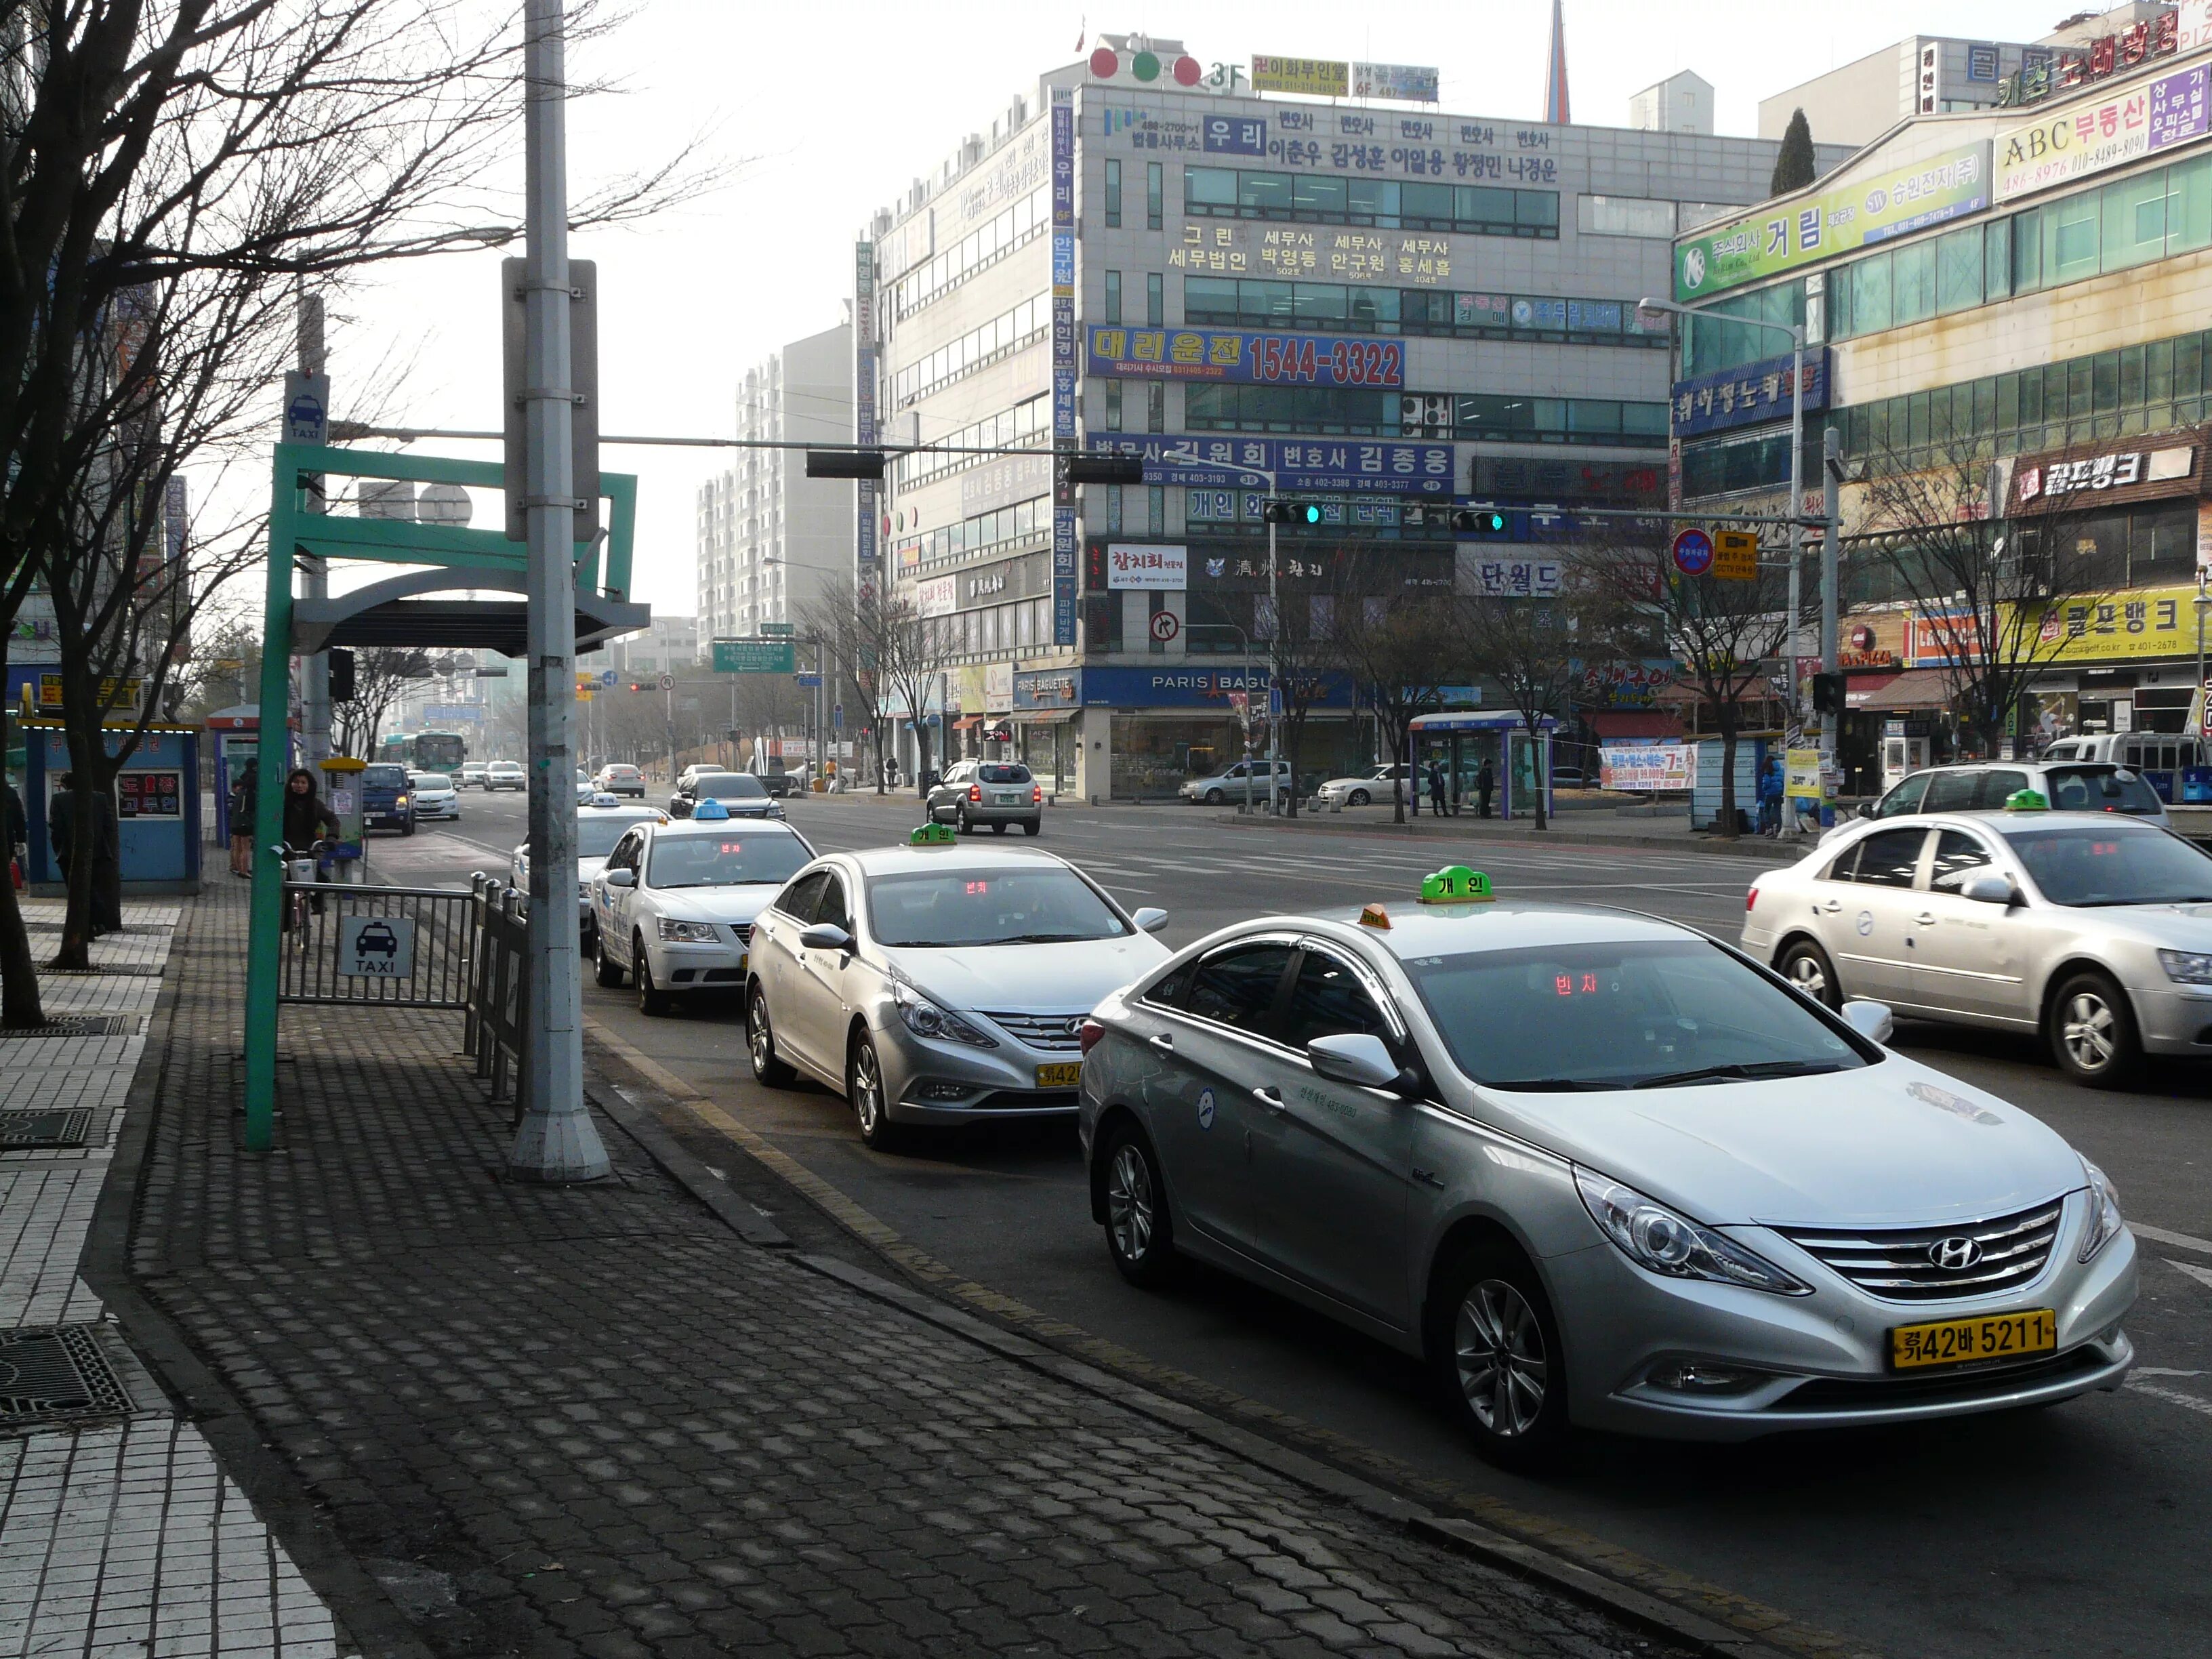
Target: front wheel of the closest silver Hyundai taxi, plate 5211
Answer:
[[1499, 1355]]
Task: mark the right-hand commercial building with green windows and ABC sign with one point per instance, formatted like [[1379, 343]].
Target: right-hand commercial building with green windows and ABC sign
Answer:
[[2014, 300]]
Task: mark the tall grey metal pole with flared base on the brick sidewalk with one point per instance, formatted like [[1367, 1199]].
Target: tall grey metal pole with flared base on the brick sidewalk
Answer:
[[556, 1142]]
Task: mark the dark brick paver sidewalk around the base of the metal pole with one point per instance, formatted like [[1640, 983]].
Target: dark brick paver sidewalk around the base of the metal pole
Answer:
[[601, 1423]]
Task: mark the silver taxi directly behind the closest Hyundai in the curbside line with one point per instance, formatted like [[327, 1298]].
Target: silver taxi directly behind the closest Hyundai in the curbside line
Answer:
[[939, 983]]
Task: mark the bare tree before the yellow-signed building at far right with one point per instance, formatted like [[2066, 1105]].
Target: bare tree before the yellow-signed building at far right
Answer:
[[1983, 587]]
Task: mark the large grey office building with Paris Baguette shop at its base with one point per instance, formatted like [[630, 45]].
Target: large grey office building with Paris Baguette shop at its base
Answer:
[[1370, 306]]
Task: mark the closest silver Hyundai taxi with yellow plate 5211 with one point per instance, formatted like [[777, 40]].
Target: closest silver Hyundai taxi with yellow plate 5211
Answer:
[[1600, 1171]]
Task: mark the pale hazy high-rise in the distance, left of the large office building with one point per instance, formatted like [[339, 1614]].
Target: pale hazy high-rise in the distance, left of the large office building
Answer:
[[769, 536]]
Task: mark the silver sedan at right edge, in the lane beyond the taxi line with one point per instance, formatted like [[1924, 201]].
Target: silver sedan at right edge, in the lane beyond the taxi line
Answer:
[[2083, 928]]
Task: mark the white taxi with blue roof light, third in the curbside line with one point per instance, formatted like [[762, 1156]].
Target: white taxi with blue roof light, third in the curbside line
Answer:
[[676, 901]]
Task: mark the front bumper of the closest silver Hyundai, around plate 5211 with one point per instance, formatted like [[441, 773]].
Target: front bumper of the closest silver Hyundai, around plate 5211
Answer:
[[1822, 1359]]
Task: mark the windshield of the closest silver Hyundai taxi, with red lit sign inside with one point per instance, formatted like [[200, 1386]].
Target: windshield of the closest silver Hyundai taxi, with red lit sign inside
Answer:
[[1620, 1016]]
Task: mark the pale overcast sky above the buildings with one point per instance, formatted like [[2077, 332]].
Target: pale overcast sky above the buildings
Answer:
[[833, 107]]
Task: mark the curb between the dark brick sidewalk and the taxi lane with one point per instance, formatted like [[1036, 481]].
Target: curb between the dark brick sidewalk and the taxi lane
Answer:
[[1501, 1552]]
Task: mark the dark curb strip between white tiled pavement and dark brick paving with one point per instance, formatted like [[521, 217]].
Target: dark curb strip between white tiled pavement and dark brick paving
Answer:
[[362, 1611]]
